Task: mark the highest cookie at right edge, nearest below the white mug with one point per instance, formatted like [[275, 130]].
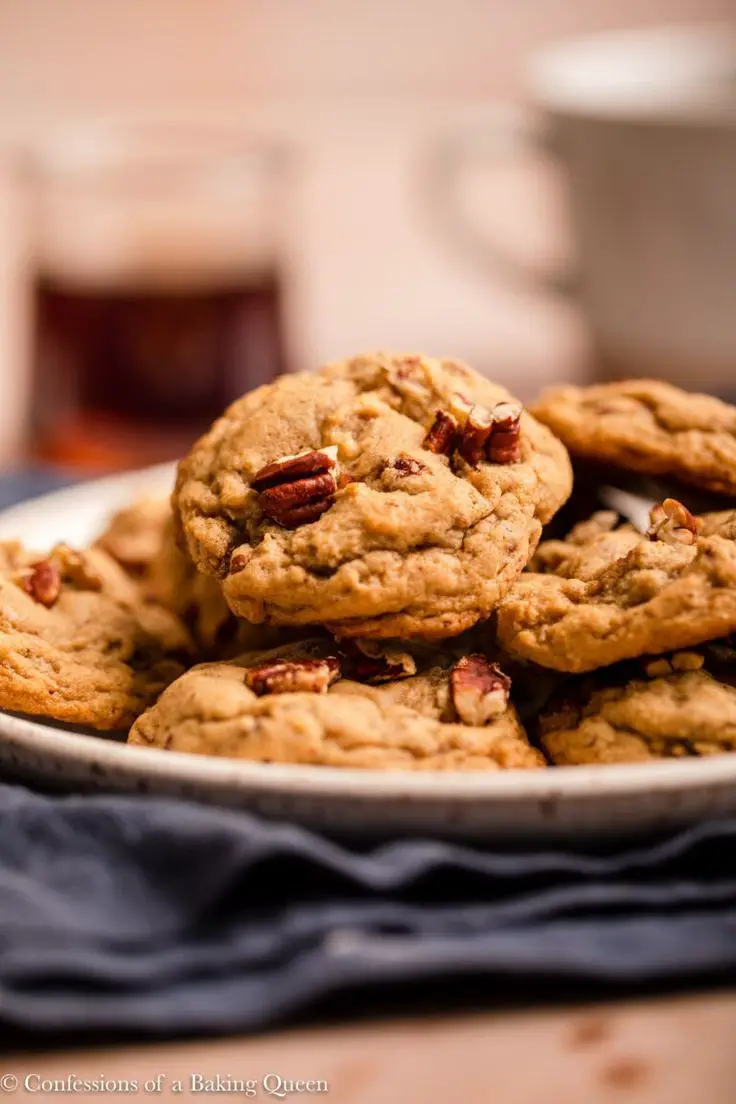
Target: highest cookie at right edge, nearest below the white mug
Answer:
[[649, 428]]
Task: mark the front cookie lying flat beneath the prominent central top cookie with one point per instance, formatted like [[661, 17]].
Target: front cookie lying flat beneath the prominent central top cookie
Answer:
[[295, 705]]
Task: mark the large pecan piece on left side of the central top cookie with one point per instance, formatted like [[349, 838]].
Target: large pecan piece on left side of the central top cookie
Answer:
[[297, 490]]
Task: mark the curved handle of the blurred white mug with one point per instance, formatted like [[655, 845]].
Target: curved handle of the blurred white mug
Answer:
[[505, 132]]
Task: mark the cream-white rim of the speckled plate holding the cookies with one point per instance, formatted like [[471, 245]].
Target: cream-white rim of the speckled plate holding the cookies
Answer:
[[77, 513]]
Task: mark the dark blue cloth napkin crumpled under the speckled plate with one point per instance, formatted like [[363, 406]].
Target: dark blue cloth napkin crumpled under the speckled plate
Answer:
[[161, 917]]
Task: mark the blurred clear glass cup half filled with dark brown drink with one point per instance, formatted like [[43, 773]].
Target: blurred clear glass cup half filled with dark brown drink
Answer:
[[158, 288]]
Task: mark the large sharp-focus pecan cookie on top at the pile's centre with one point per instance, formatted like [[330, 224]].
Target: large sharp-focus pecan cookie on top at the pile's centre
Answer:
[[386, 496]]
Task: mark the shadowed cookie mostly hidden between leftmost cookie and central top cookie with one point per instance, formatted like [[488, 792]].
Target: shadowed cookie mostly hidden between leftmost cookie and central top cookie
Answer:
[[142, 538]]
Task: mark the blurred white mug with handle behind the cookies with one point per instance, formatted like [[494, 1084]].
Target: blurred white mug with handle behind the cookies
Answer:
[[645, 126]]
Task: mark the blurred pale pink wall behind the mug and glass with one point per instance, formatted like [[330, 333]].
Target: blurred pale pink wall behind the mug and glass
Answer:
[[362, 91]]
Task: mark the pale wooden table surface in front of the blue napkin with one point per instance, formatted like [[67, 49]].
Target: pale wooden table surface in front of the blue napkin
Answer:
[[676, 1050]]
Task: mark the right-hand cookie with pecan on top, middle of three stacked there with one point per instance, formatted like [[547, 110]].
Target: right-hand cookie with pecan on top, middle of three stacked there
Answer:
[[625, 595]]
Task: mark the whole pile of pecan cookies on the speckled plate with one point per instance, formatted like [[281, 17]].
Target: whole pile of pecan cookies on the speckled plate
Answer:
[[350, 575]]
